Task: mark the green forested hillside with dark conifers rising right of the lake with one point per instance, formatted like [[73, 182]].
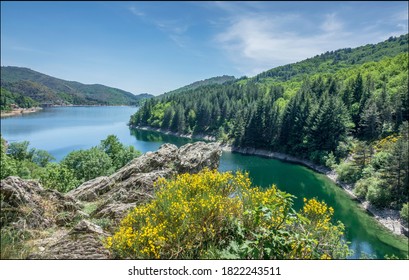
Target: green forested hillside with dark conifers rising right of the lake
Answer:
[[325, 109]]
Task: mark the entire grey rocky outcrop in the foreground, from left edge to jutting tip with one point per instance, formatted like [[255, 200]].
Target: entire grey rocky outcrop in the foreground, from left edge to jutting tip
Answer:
[[68, 224]]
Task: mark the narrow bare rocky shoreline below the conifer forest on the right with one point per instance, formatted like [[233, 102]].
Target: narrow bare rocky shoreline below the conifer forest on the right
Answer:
[[389, 218]]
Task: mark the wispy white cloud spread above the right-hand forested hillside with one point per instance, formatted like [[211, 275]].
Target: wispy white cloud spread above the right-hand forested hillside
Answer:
[[256, 42]]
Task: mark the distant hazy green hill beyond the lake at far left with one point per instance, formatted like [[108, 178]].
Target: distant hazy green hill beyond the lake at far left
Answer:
[[46, 89]]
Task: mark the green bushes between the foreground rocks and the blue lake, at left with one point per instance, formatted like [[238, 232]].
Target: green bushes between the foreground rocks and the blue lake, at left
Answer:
[[75, 168]]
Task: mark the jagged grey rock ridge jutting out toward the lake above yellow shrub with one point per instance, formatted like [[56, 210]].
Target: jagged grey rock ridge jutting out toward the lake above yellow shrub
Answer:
[[133, 184]]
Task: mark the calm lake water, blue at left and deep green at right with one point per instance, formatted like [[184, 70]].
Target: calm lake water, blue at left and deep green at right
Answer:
[[61, 130]]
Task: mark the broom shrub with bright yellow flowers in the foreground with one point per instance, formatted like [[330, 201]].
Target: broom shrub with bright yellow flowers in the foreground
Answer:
[[220, 215]]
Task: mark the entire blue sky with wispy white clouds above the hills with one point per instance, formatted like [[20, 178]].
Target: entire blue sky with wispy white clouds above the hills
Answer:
[[156, 47]]
